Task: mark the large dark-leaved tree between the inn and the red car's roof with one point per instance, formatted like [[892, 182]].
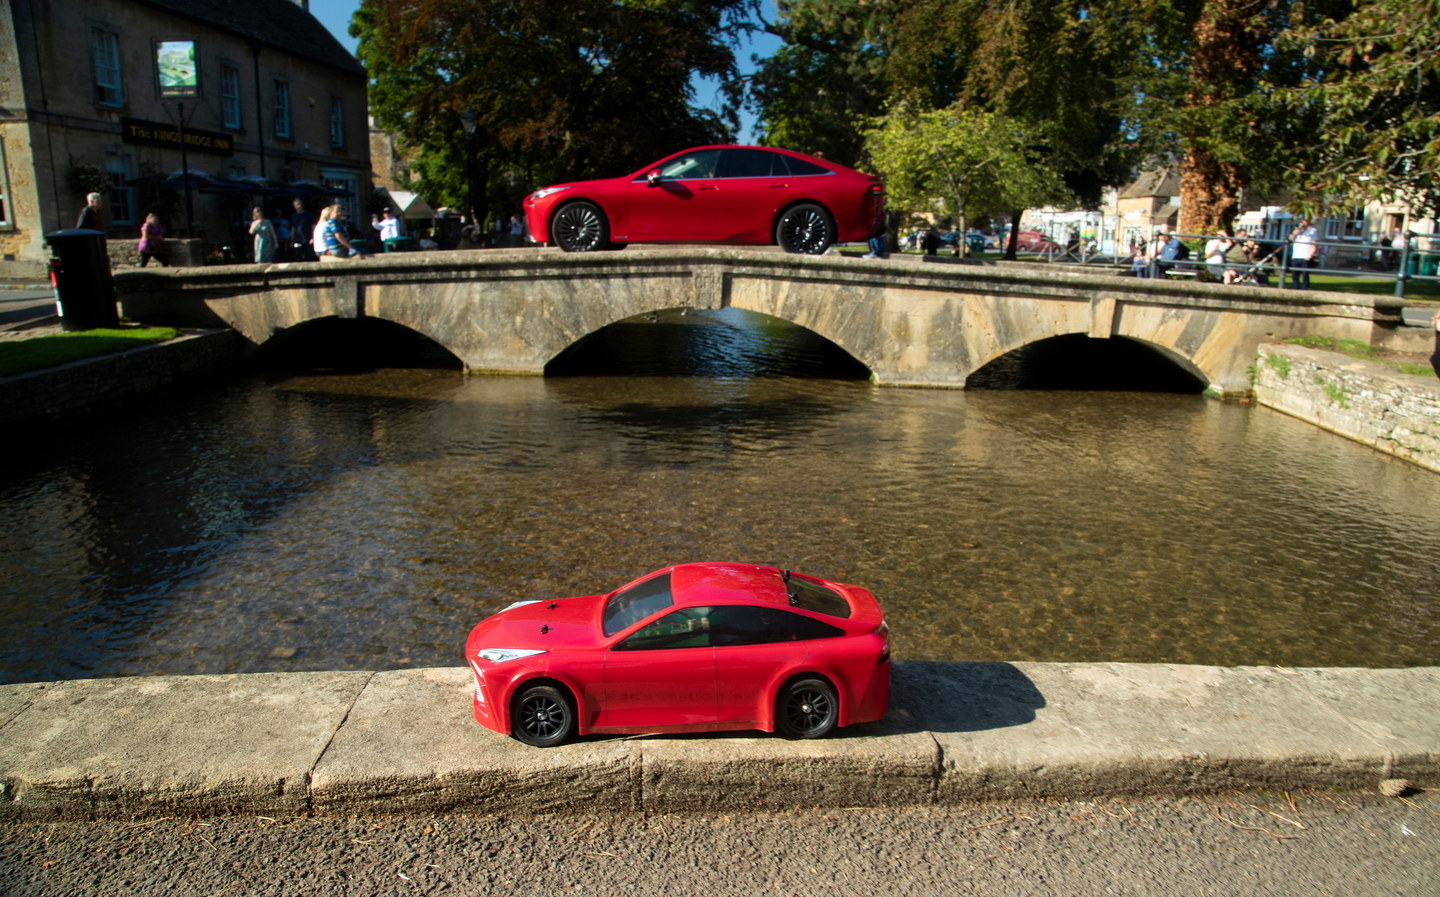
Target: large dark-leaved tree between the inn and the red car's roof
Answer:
[[597, 89]]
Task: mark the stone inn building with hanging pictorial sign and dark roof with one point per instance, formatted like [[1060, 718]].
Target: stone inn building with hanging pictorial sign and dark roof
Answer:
[[256, 99]]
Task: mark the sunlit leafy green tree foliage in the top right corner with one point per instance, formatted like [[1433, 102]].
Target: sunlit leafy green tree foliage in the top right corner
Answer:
[[1376, 102]]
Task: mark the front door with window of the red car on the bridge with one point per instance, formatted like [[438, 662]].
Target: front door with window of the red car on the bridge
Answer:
[[680, 205]]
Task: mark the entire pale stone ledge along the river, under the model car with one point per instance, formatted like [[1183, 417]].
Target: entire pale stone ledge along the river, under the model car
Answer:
[[405, 742]]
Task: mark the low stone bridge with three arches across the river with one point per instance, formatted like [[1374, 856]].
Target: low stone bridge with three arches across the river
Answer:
[[911, 322]]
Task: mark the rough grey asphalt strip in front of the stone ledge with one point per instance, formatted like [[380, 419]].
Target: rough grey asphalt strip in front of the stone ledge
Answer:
[[1248, 846]]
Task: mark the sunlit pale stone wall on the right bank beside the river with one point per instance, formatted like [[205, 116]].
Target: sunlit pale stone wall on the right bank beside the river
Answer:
[[1364, 401]]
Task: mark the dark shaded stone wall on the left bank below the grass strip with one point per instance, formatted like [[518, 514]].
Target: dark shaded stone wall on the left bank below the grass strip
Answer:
[[71, 391]]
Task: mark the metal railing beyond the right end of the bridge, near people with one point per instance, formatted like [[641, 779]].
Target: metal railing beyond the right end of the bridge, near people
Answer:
[[1403, 266]]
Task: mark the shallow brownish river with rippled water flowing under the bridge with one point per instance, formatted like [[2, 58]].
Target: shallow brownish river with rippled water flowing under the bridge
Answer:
[[368, 520]]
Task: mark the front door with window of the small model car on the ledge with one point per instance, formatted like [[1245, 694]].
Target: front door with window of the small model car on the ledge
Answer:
[[662, 676]]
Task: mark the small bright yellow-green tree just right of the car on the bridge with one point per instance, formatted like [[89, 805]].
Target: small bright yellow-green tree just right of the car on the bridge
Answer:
[[971, 162]]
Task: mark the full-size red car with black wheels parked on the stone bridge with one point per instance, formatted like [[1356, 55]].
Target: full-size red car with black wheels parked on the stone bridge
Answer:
[[714, 195]]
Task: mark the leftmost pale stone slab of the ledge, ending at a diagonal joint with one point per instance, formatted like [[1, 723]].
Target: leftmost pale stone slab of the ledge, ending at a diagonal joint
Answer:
[[171, 745]]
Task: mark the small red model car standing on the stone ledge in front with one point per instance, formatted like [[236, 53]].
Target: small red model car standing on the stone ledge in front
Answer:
[[701, 647]]
